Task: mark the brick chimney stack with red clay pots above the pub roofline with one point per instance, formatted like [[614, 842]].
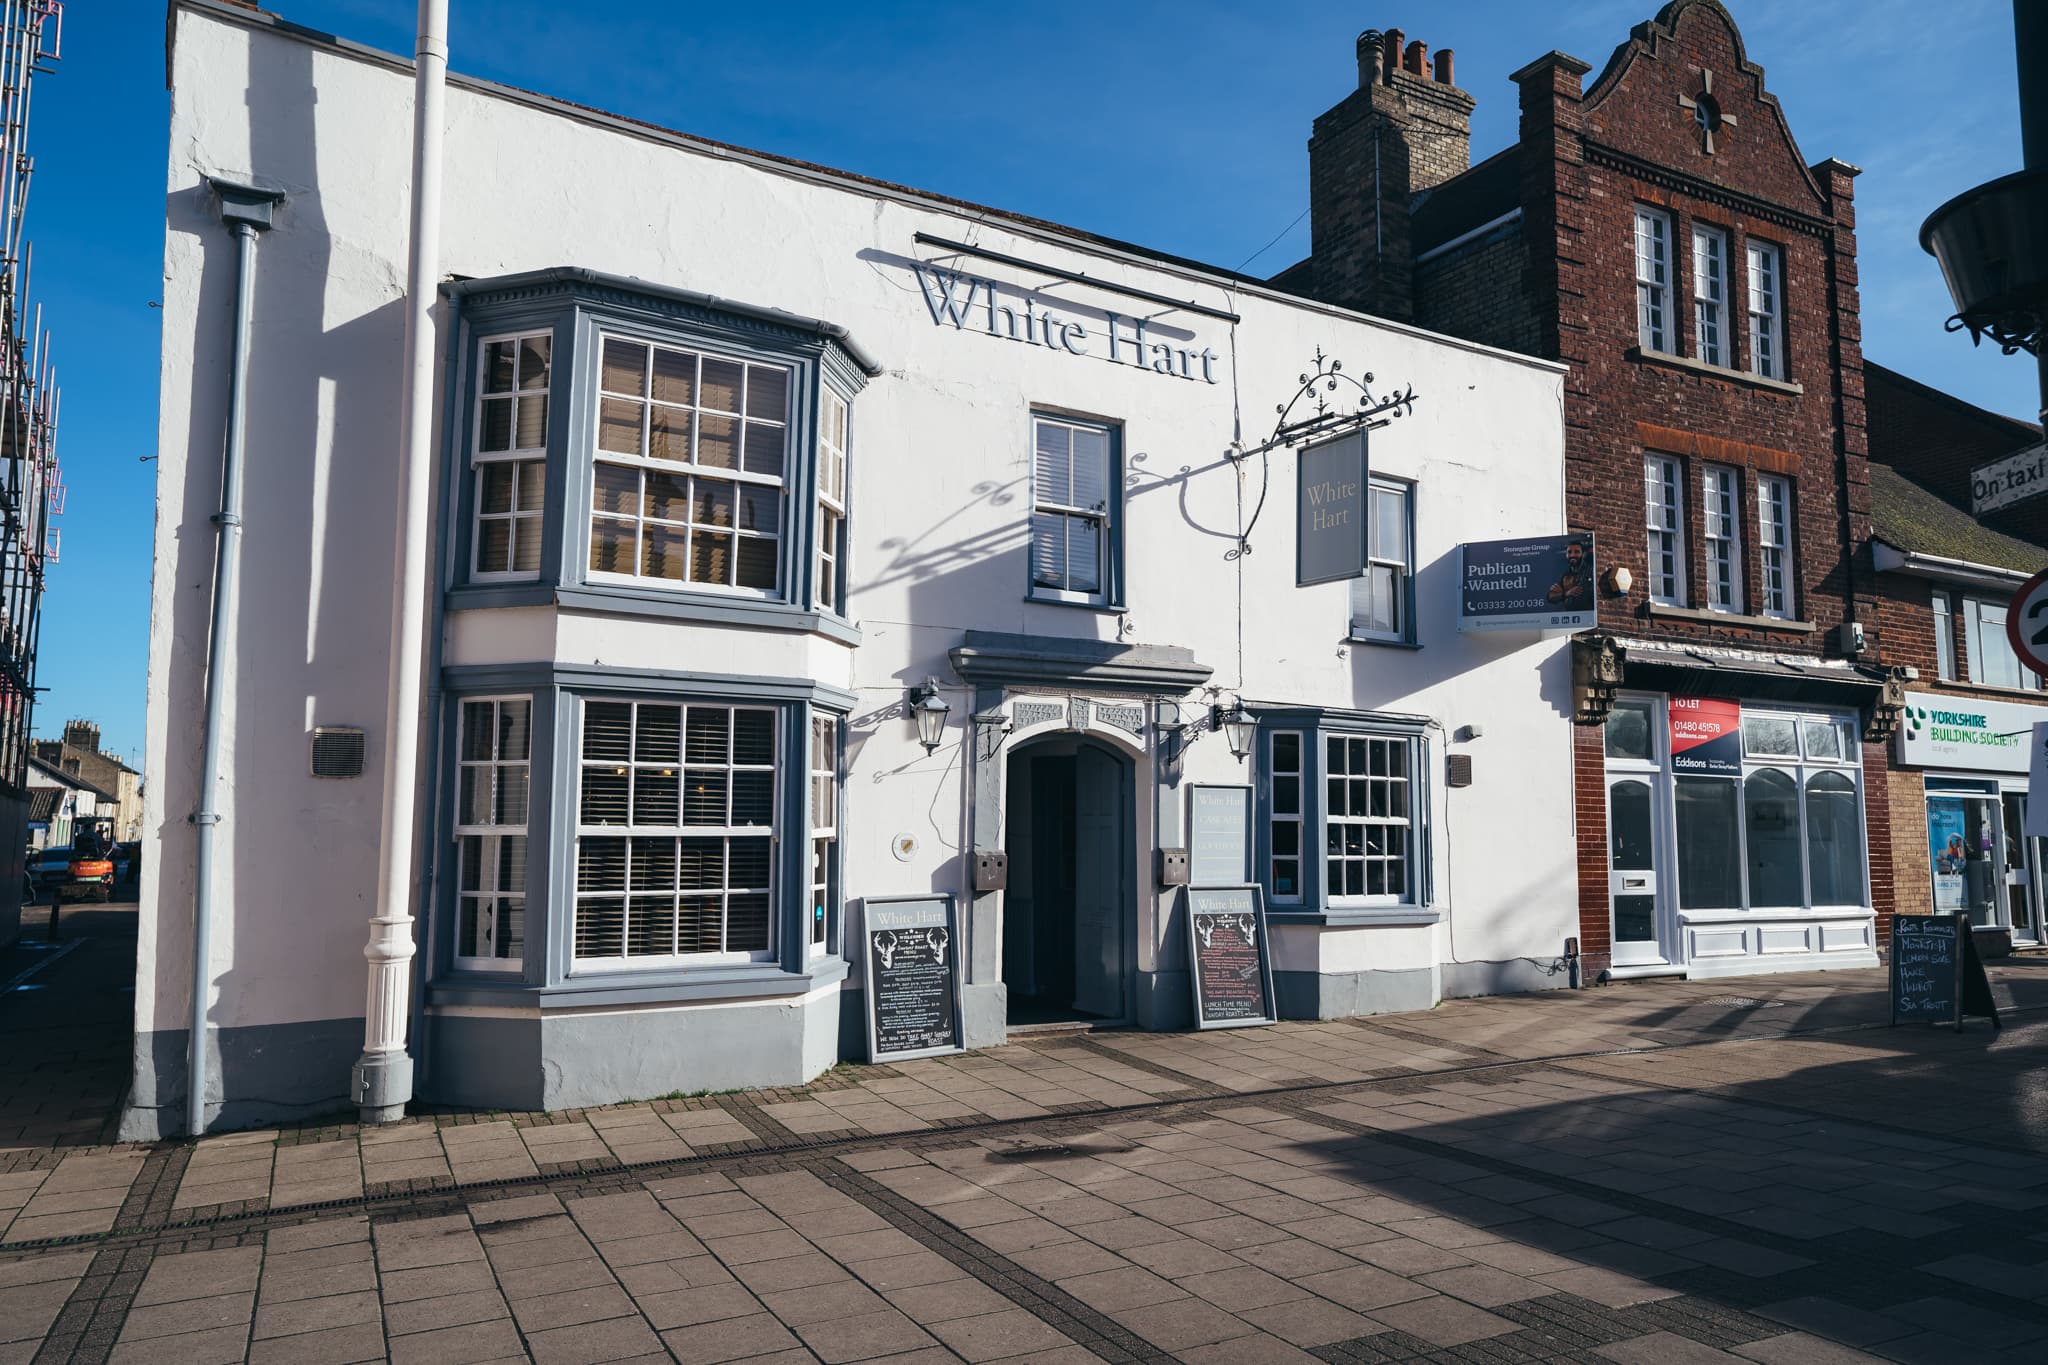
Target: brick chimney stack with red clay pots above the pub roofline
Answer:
[[1404, 130]]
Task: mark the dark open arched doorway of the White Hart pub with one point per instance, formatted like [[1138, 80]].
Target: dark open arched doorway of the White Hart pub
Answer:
[[1070, 910]]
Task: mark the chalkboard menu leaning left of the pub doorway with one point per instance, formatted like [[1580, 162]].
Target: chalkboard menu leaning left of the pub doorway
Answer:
[[914, 977]]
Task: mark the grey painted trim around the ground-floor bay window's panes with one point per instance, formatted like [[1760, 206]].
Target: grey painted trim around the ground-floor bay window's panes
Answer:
[[550, 973]]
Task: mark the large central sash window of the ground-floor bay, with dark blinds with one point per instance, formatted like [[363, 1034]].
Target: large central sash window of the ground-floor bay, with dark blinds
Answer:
[[675, 834]]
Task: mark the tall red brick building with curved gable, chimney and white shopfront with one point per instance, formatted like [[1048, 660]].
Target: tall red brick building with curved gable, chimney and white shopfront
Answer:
[[1660, 230]]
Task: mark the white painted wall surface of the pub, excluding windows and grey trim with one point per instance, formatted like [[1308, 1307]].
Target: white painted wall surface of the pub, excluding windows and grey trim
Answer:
[[941, 486]]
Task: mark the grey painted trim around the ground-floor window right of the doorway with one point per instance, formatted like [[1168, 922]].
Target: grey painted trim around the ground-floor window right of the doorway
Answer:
[[1318, 723]]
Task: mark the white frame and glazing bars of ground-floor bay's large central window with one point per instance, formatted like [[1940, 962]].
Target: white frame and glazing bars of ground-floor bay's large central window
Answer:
[[628, 832]]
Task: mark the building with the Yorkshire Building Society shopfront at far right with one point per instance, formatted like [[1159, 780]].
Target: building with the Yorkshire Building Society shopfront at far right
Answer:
[[1945, 580]]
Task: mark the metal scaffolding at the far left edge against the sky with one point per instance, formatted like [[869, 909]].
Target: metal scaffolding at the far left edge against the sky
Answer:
[[32, 490]]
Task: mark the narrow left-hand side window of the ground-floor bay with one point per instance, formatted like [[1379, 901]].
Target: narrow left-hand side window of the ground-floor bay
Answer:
[[495, 746]]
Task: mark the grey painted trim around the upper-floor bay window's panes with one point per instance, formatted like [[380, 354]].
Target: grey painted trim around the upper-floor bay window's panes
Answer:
[[574, 308]]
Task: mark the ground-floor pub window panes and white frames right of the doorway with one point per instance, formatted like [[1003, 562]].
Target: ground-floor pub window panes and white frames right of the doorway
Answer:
[[1361, 797]]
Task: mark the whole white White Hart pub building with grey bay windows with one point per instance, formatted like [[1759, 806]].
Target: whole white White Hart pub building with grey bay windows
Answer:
[[794, 545]]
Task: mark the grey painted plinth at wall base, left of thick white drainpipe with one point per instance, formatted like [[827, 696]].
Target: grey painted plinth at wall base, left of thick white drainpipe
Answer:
[[269, 1073]]
